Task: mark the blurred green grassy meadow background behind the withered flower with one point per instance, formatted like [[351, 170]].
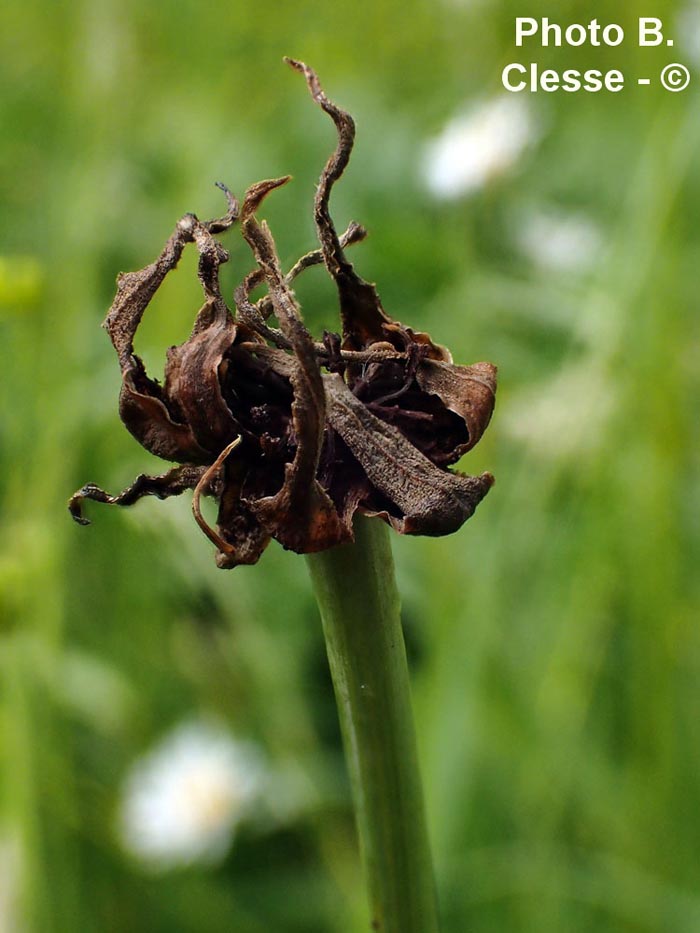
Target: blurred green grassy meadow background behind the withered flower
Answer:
[[554, 641]]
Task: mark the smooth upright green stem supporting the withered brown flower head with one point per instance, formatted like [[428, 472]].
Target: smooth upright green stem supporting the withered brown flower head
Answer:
[[360, 609]]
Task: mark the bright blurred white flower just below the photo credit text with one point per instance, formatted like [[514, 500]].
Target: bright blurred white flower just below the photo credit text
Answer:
[[478, 146]]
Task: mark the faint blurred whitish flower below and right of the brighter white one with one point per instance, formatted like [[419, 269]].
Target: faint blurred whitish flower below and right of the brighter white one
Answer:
[[560, 242]]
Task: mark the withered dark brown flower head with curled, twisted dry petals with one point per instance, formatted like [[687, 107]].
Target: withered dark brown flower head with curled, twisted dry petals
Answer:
[[289, 451]]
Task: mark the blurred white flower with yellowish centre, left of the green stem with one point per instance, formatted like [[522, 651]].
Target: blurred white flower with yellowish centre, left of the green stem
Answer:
[[183, 800]]
